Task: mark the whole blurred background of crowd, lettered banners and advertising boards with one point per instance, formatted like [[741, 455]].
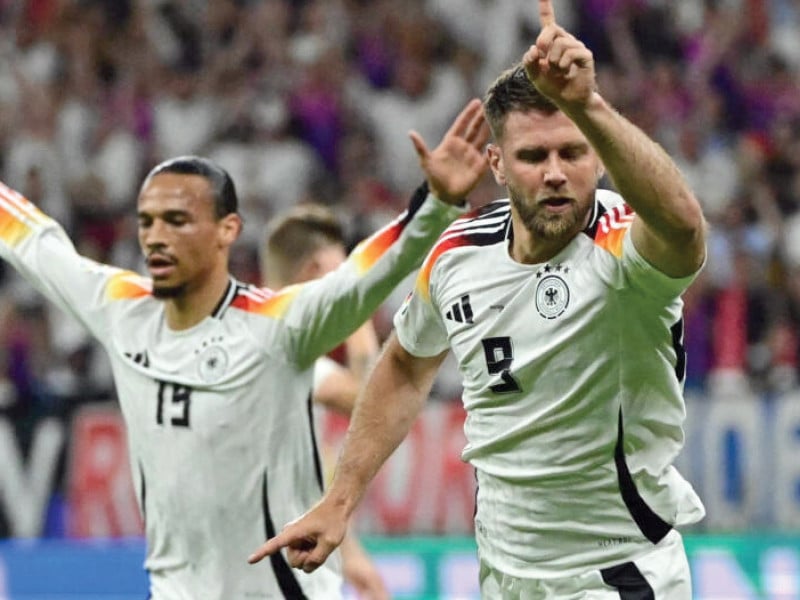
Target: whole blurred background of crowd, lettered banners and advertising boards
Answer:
[[312, 100]]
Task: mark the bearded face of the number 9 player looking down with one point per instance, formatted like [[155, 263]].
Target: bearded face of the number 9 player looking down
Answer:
[[550, 171]]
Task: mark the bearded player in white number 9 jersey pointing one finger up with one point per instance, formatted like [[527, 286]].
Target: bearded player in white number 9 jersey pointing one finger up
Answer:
[[562, 307]]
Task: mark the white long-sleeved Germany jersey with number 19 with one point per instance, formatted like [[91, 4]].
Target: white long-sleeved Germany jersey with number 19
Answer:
[[219, 424]]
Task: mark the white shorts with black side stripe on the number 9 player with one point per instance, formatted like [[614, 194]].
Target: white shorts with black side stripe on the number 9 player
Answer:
[[661, 574]]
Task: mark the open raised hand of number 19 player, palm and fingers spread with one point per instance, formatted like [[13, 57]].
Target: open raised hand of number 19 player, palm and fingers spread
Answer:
[[457, 164]]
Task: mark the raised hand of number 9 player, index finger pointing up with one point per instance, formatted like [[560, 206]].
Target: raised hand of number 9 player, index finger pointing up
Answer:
[[559, 64]]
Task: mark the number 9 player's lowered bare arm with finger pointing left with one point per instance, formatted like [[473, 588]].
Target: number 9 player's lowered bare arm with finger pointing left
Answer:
[[391, 400]]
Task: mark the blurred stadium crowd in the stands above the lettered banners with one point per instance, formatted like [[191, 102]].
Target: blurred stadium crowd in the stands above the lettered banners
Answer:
[[312, 100]]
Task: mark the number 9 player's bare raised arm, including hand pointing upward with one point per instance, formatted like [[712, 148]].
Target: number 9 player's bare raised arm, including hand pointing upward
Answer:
[[669, 229]]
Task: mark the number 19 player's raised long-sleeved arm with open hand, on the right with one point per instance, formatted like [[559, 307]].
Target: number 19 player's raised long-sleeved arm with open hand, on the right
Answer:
[[324, 312]]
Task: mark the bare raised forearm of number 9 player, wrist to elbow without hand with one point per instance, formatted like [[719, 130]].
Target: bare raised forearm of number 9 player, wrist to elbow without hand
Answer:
[[641, 170]]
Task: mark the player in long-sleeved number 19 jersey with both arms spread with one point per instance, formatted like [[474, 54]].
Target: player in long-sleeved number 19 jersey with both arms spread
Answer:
[[213, 375]]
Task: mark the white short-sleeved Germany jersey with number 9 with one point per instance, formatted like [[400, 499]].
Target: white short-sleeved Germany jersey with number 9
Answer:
[[573, 373]]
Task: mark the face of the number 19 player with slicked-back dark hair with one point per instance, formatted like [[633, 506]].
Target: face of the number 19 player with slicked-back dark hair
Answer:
[[178, 232]]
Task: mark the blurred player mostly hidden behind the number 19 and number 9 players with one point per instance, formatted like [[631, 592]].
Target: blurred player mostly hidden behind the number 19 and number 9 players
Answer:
[[301, 244]]
